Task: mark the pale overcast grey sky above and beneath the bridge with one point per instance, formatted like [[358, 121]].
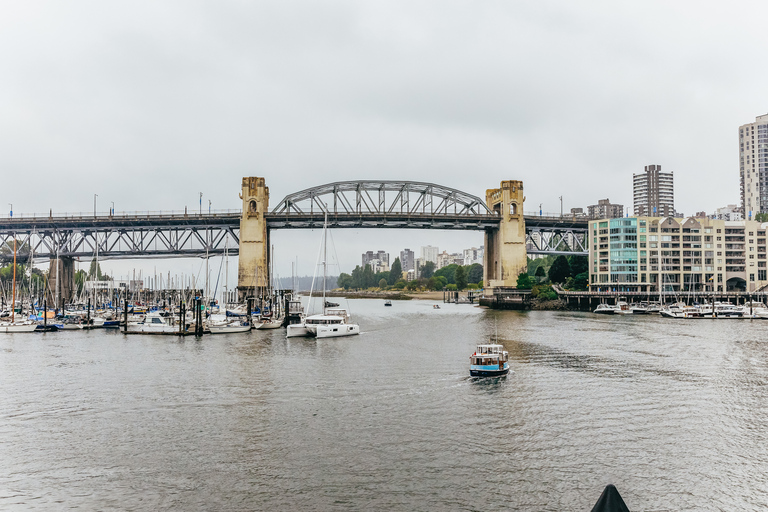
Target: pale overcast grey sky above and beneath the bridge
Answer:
[[147, 104]]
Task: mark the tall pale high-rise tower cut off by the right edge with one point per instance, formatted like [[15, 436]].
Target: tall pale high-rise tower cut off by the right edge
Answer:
[[753, 167]]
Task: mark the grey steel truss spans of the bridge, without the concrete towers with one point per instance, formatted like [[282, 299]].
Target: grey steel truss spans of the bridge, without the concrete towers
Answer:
[[349, 204]]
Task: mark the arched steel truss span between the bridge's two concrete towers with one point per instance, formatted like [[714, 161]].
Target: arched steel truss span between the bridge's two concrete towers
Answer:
[[392, 204]]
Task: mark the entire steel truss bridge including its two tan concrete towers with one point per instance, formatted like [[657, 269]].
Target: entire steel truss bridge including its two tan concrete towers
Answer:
[[509, 234]]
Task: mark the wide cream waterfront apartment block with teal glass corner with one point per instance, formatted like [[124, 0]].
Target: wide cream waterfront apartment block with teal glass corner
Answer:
[[673, 255]]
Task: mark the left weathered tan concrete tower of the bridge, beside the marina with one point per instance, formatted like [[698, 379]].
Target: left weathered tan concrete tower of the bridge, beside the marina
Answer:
[[253, 262]]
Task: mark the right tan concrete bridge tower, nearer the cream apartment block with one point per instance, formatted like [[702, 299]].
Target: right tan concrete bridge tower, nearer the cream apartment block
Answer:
[[505, 253]]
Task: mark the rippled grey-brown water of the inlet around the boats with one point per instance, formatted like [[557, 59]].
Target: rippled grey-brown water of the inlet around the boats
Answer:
[[673, 412]]
